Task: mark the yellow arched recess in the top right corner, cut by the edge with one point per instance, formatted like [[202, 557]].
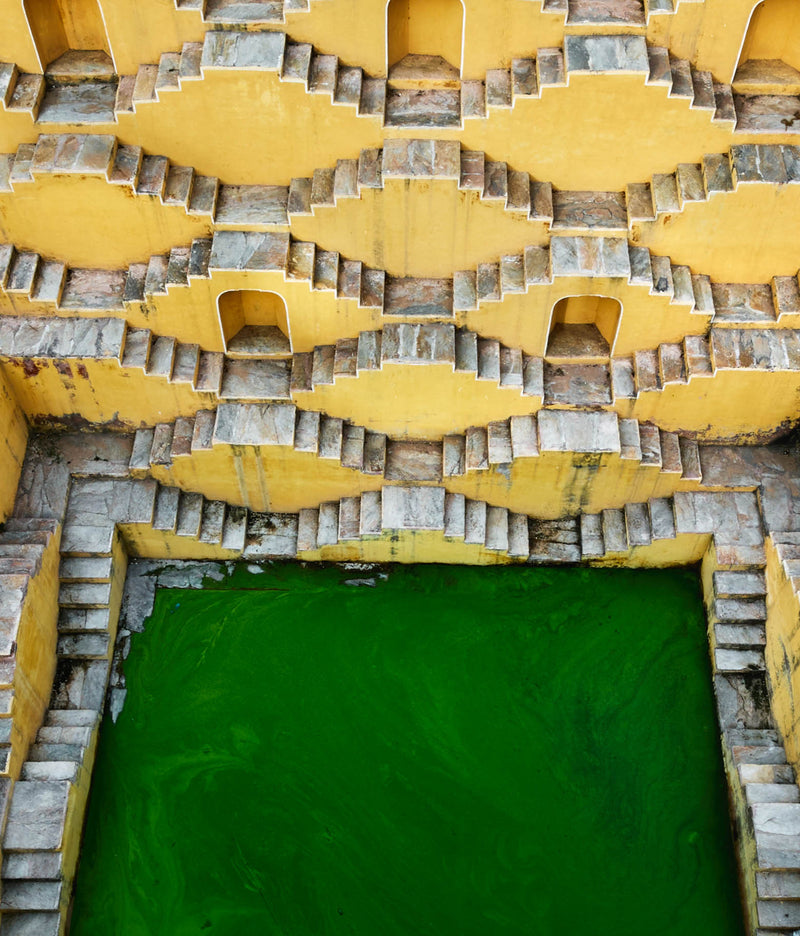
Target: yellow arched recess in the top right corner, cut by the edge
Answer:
[[769, 62]]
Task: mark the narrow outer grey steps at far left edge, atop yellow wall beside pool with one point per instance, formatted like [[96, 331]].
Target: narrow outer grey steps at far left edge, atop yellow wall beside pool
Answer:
[[22, 546]]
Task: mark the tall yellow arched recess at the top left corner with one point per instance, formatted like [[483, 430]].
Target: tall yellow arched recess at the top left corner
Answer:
[[70, 36]]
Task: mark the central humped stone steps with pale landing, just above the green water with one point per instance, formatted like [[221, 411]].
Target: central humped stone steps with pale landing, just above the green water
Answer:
[[413, 508]]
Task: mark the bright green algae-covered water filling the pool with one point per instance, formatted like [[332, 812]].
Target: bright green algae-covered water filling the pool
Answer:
[[454, 751]]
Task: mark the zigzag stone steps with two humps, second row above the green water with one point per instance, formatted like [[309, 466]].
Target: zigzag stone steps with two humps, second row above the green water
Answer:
[[478, 449]]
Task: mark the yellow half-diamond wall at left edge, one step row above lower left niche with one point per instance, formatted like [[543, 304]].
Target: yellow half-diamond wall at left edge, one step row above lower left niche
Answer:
[[117, 227]]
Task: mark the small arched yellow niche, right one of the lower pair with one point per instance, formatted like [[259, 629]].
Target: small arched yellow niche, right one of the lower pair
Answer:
[[583, 328]]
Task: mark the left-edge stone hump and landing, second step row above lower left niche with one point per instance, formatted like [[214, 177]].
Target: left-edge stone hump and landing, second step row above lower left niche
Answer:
[[127, 166]]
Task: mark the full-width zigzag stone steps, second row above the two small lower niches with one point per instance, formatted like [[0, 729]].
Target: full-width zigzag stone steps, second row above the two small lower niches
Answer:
[[273, 206]]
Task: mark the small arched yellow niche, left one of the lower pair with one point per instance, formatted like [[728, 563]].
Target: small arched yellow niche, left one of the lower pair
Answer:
[[254, 323]]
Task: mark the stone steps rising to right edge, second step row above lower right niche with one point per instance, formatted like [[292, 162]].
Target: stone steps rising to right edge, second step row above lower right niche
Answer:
[[719, 173]]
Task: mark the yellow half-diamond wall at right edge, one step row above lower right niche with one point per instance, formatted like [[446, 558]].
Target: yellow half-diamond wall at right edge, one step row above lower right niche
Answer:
[[746, 236]]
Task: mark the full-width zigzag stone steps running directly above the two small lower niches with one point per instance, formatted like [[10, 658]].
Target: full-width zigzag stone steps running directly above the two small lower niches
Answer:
[[29, 275]]
